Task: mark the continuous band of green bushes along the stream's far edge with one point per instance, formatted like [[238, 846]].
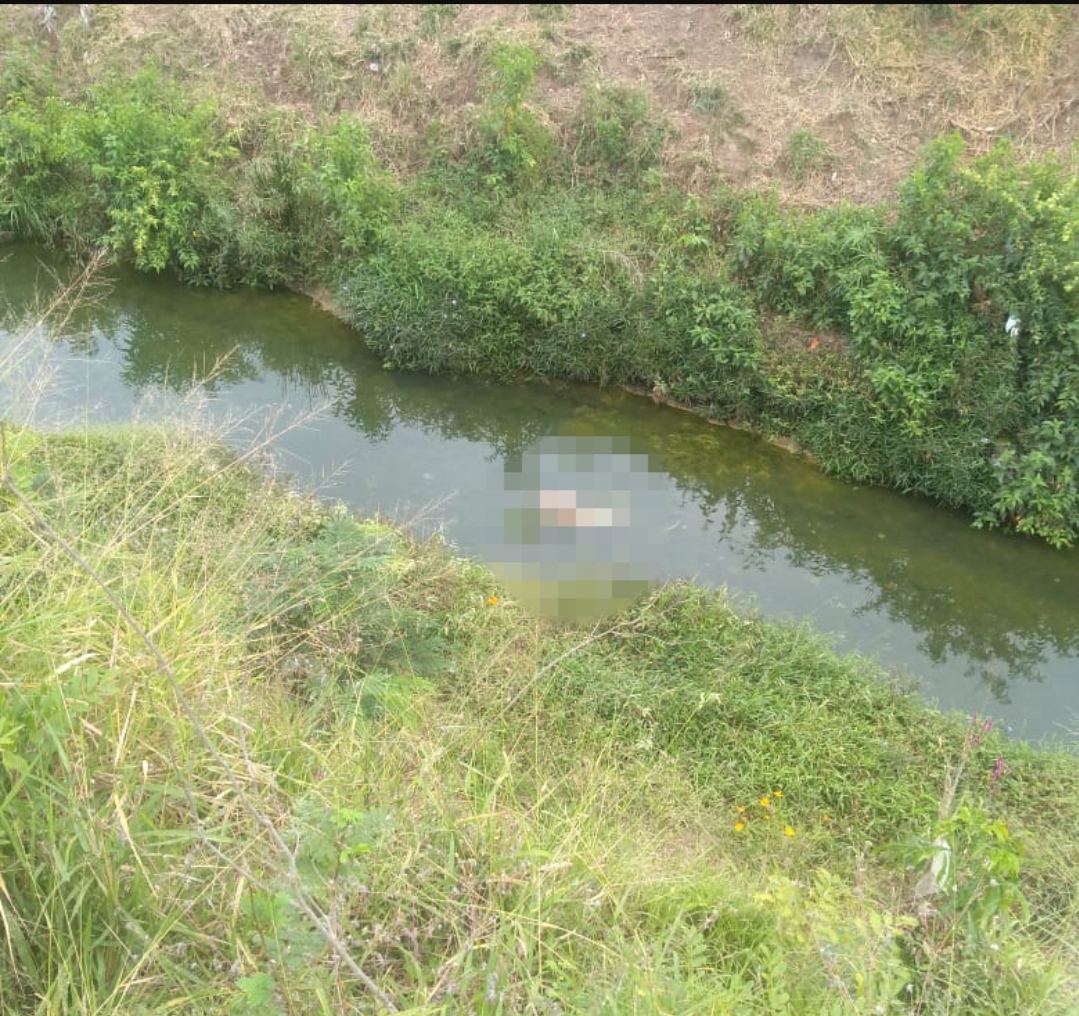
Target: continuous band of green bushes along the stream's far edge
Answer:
[[954, 369]]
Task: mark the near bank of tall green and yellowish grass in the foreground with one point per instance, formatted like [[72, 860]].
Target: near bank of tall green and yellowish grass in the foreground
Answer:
[[258, 756]]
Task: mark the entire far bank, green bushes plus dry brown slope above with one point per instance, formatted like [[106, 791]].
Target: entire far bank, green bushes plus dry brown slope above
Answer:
[[486, 198]]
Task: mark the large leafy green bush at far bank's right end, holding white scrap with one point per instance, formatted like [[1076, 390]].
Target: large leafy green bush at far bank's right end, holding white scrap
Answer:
[[963, 314]]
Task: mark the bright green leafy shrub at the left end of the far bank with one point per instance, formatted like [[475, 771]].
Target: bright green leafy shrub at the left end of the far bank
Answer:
[[128, 171]]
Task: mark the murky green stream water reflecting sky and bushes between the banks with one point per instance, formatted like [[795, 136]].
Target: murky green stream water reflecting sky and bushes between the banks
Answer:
[[989, 623]]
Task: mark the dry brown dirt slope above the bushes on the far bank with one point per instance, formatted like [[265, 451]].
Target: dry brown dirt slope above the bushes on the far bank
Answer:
[[825, 102]]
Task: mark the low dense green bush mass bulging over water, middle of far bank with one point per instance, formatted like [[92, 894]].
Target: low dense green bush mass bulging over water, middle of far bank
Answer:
[[545, 297]]
